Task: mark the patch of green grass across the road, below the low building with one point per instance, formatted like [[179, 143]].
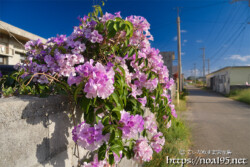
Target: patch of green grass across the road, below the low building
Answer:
[[242, 95]]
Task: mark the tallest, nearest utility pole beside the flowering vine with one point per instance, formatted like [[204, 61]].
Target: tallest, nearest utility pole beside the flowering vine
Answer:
[[179, 51]]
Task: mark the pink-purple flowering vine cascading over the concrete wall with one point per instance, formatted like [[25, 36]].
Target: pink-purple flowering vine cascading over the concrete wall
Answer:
[[110, 70]]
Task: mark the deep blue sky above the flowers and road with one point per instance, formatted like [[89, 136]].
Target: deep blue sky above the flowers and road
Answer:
[[220, 26]]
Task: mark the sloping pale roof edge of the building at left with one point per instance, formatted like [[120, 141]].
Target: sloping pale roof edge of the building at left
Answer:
[[19, 33]]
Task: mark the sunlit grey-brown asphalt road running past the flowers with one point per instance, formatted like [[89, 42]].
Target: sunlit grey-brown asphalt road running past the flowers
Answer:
[[218, 123]]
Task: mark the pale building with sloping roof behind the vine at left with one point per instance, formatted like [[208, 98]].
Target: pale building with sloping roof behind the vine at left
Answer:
[[11, 51]]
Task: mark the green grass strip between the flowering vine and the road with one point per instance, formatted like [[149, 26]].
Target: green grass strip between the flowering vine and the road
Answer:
[[177, 139]]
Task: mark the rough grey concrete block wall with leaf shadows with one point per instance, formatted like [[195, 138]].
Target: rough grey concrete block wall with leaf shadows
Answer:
[[36, 132]]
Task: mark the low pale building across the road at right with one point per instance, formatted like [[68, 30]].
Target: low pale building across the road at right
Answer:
[[228, 78]]
